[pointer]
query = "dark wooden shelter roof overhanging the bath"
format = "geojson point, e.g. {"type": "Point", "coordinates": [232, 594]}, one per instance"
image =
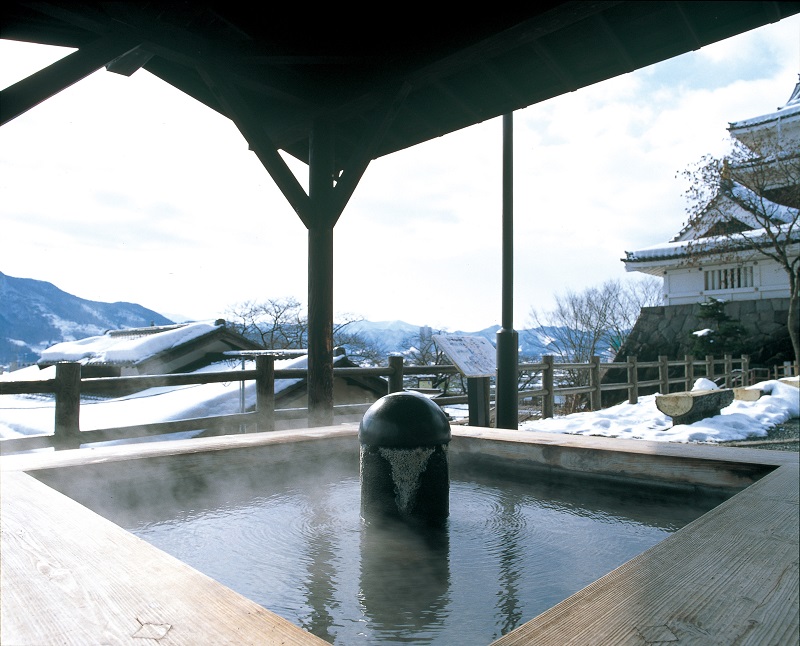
{"type": "Point", "coordinates": [384, 80]}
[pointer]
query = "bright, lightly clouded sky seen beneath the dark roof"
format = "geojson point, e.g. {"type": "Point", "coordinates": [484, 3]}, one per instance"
{"type": "Point", "coordinates": [124, 189]}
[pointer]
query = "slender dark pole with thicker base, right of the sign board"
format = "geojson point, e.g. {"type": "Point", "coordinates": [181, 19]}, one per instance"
{"type": "Point", "coordinates": [506, 397]}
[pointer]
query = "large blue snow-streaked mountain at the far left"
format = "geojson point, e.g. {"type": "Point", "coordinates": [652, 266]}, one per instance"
{"type": "Point", "coordinates": [35, 314]}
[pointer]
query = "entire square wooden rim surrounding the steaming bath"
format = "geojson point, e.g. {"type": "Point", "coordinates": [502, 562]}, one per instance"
{"type": "Point", "coordinates": [70, 576]}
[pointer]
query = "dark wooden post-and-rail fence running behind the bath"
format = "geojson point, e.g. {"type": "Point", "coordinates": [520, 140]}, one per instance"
{"type": "Point", "coordinates": [68, 385]}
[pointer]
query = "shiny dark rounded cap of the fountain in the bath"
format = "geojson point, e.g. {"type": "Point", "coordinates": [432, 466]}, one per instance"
{"type": "Point", "coordinates": [404, 420]}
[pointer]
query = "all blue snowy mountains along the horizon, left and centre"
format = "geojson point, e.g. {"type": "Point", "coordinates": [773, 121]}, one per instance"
{"type": "Point", "coordinates": [35, 315]}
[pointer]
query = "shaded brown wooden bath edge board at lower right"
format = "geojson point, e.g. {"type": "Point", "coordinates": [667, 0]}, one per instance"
{"type": "Point", "coordinates": [730, 577]}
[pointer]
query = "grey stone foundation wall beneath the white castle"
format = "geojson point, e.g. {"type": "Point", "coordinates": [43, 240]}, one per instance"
{"type": "Point", "coordinates": [667, 330]}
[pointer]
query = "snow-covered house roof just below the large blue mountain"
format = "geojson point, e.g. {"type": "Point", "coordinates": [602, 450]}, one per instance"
{"type": "Point", "coordinates": [127, 347]}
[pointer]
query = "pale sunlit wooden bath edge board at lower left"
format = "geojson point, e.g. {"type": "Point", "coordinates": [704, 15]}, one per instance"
{"type": "Point", "coordinates": [72, 577]}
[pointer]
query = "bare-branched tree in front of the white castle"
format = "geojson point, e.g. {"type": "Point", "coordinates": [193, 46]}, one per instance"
{"type": "Point", "coordinates": [747, 204]}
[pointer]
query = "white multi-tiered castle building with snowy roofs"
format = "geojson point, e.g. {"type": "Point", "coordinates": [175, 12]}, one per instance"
{"type": "Point", "coordinates": [701, 262]}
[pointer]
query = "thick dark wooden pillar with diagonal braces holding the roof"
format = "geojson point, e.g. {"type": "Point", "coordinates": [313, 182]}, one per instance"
{"type": "Point", "coordinates": [320, 277]}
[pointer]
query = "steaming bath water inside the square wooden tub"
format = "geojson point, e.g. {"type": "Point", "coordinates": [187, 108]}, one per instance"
{"type": "Point", "coordinates": [512, 547]}
